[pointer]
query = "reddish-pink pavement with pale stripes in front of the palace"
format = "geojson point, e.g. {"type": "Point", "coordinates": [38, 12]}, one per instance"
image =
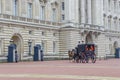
{"type": "Point", "coordinates": [61, 70]}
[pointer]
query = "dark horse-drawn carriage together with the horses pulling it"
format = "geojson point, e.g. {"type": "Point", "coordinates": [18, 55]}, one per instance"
{"type": "Point", "coordinates": [83, 53]}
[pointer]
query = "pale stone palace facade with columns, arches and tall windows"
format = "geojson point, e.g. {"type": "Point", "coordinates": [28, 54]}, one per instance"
{"type": "Point", "coordinates": [58, 25]}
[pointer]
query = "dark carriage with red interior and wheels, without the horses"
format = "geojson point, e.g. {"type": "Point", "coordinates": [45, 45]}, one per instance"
{"type": "Point", "coordinates": [86, 52]}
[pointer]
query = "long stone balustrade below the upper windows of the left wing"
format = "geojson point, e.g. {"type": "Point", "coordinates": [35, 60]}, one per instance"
{"type": "Point", "coordinates": [29, 20]}
